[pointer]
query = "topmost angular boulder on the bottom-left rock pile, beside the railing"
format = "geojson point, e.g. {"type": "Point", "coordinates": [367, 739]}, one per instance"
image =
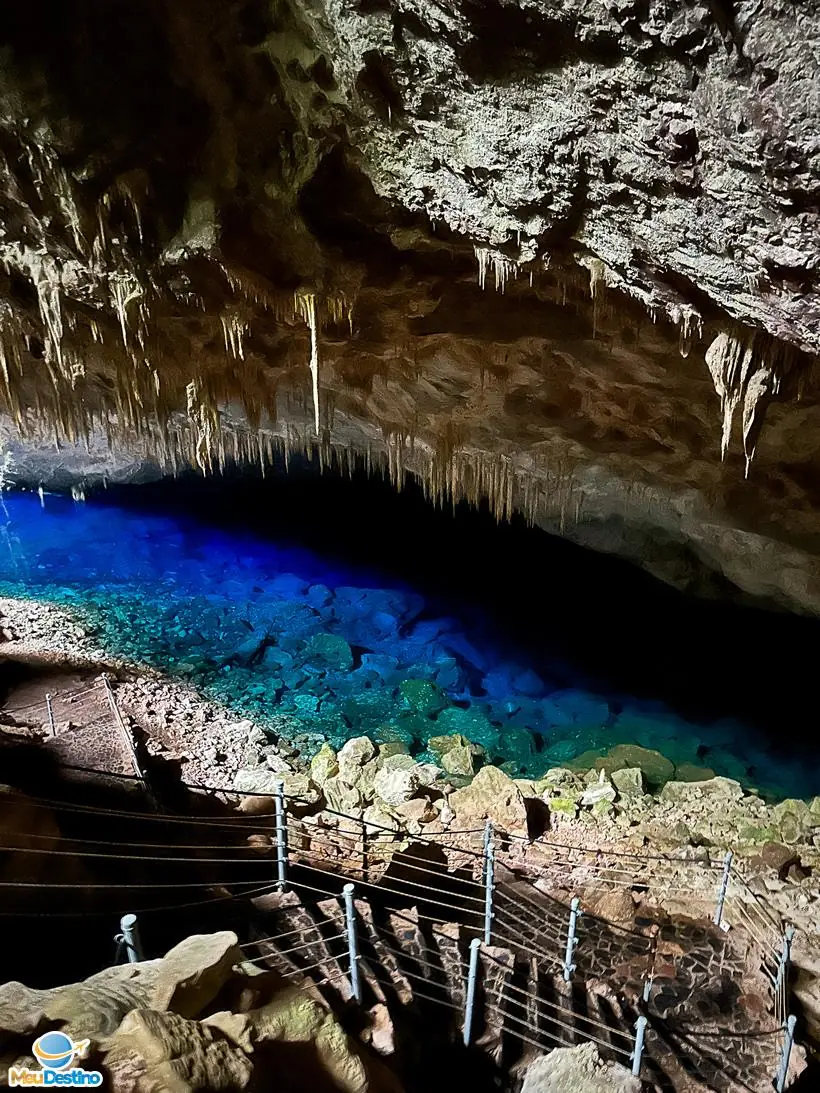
{"type": "Point", "coordinates": [193, 973]}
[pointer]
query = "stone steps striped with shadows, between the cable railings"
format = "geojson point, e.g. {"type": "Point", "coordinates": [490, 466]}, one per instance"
{"type": "Point", "coordinates": [414, 977]}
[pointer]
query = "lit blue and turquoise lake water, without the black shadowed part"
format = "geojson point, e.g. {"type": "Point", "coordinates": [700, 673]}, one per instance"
{"type": "Point", "coordinates": [295, 638]}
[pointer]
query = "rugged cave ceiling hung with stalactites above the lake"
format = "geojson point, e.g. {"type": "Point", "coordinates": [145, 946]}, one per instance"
{"type": "Point", "coordinates": [563, 256]}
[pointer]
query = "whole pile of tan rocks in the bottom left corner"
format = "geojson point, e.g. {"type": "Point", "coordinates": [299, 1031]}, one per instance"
{"type": "Point", "coordinates": [151, 1026]}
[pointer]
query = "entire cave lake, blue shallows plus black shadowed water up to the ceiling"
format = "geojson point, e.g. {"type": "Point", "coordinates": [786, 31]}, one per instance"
{"type": "Point", "coordinates": [352, 609]}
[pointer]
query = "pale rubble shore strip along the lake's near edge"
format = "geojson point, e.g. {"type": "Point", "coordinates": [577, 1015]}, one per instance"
{"type": "Point", "coordinates": [630, 801]}
